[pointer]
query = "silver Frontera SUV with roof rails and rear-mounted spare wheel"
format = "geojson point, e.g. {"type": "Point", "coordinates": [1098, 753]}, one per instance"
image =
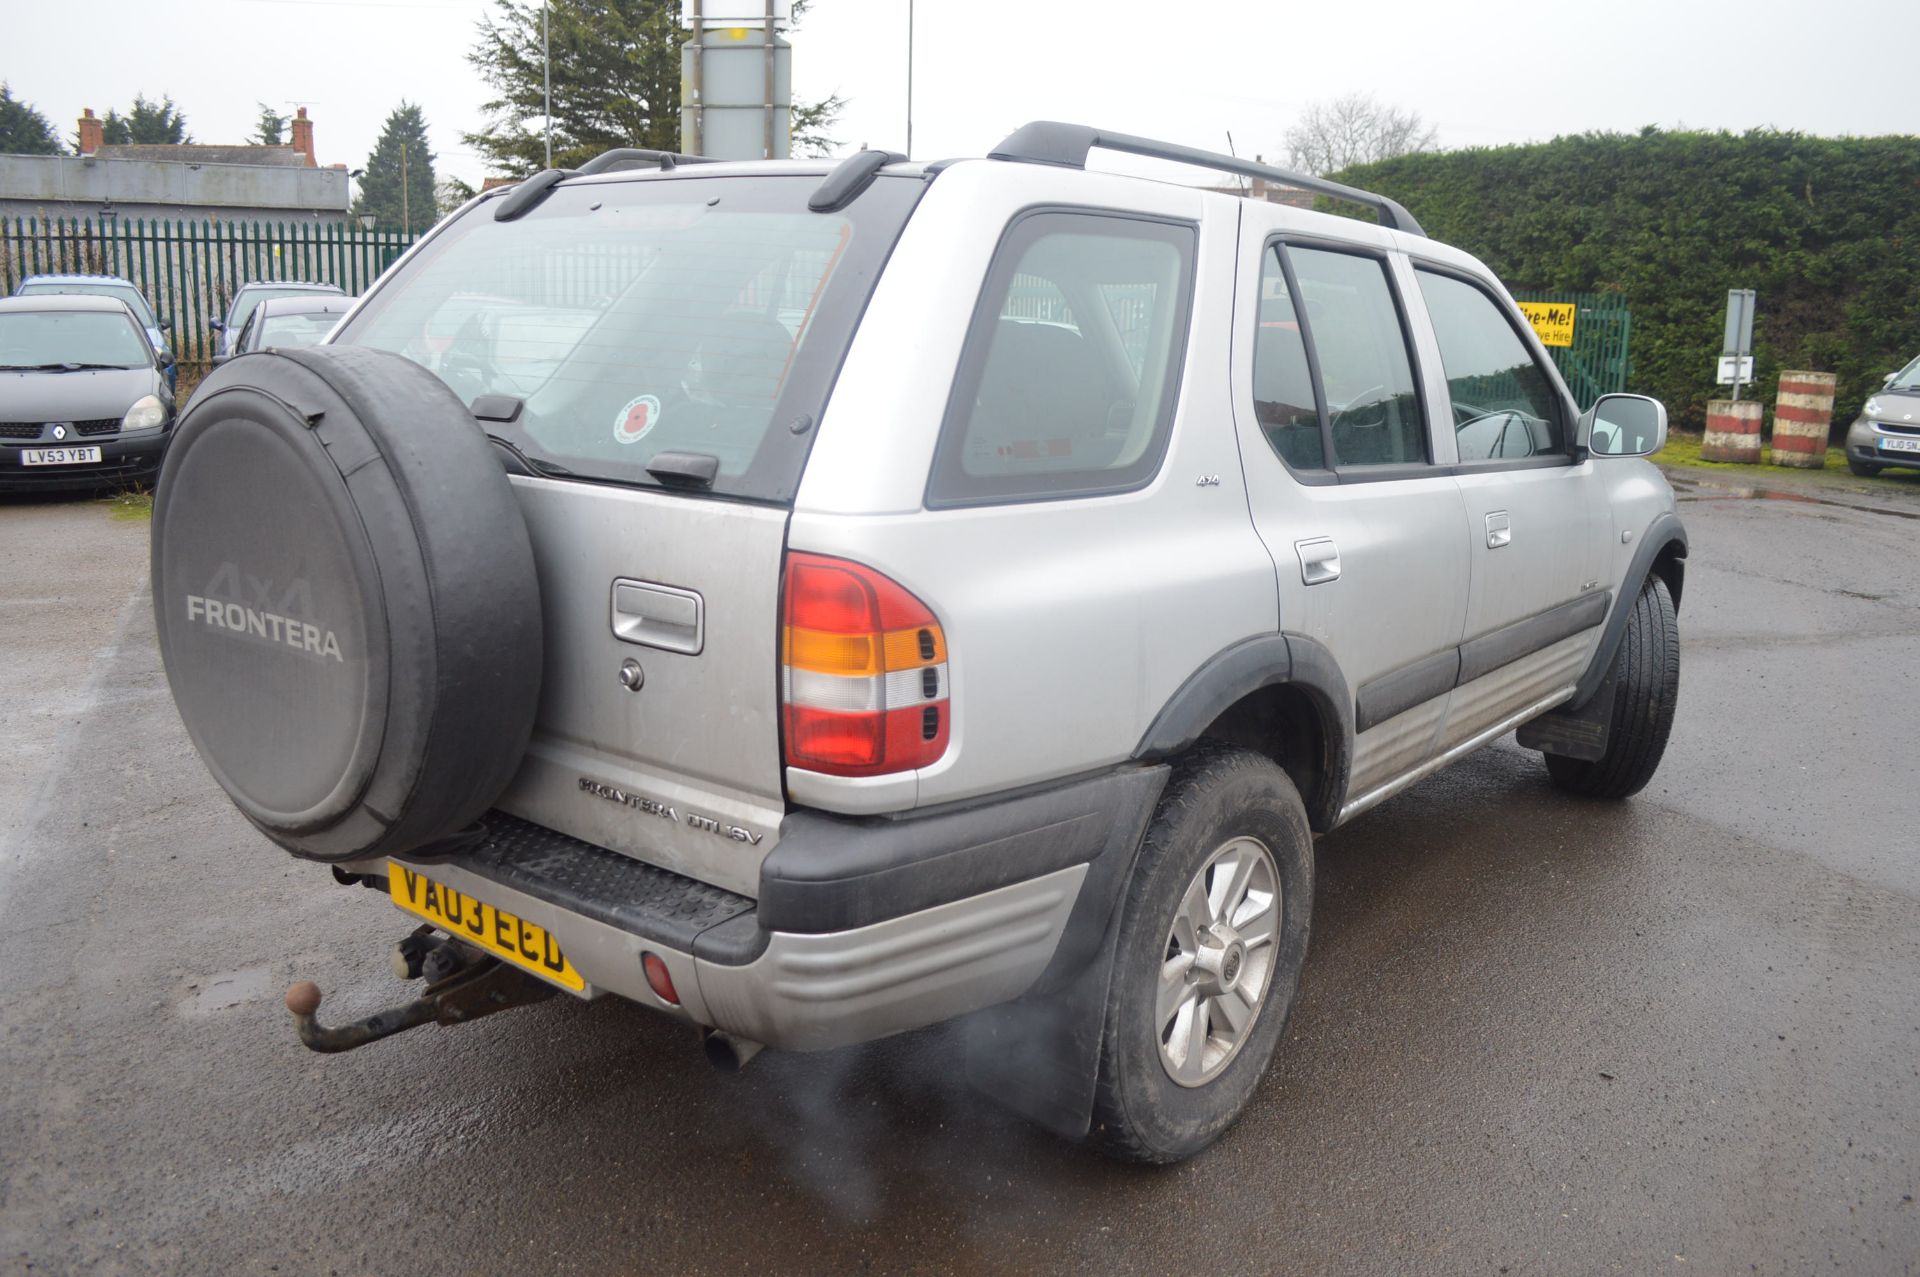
{"type": "Point", "coordinates": [819, 602]}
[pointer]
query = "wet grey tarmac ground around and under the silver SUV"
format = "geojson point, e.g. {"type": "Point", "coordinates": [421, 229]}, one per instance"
{"type": "Point", "coordinates": [1535, 1036]}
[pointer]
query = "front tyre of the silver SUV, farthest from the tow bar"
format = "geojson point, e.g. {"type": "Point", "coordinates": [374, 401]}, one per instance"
{"type": "Point", "coordinates": [1646, 677]}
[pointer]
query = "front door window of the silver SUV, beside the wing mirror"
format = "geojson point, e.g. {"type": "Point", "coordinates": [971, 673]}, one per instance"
{"type": "Point", "coordinates": [1504, 402]}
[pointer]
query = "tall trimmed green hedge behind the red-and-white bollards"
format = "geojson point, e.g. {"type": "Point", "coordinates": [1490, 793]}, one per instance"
{"type": "Point", "coordinates": [1827, 231]}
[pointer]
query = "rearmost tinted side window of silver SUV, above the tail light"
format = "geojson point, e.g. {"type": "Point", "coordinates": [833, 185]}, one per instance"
{"type": "Point", "coordinates": [1072, 362]}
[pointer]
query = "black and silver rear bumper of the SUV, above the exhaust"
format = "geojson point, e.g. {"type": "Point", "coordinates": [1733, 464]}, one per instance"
{"type": "Point", "coordinates": [867, 928]}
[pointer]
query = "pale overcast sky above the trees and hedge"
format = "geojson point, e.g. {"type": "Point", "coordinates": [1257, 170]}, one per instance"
{"type": "Point", "coordinates": [1481, 72]}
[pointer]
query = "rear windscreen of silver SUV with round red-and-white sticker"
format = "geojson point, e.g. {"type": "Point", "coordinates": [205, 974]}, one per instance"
{"type": "Point", "coordinates": [661, 314]}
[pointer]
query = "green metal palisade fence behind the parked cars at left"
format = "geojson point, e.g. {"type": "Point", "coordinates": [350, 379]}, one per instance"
{"type": "Point", "coordinates": [189, 270]}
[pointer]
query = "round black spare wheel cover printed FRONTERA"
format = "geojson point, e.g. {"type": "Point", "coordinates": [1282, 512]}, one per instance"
{"type": "Point", "coordinates": [347, 600]}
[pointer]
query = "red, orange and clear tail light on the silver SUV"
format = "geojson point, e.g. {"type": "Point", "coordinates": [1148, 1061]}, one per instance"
{"type": "Point", "coordinates": [863, 671]}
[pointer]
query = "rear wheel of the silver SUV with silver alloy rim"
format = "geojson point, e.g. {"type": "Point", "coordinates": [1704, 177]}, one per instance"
{"type": "Point", "coordinates": [1211, 948]}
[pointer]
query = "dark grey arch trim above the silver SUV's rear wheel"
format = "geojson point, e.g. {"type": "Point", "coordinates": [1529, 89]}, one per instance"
{"type": "Point", "coordinates": [1247, 667]}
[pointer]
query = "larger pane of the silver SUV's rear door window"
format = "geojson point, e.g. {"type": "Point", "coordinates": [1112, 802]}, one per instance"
{"type": "Point", "coordinates": [1374, 410]}
